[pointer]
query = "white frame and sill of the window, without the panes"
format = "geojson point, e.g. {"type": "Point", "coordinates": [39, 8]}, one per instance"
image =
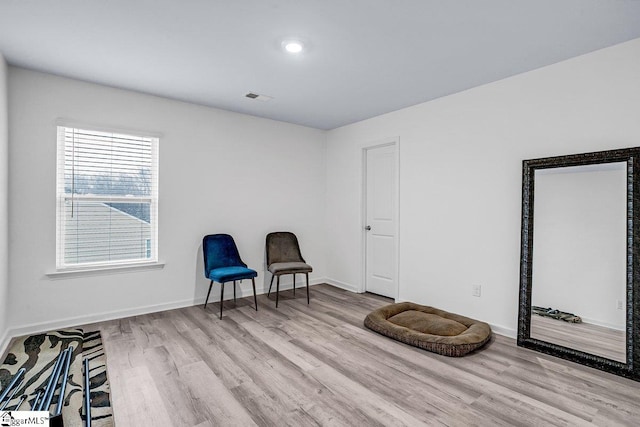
{"type": "Point", "coordinates": [62, 197]}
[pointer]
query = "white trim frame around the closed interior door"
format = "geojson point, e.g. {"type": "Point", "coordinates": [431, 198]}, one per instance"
{"type": "Point", "coordinates": [363, 148]}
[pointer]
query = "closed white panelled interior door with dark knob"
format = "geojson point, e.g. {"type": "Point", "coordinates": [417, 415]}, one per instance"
{"type": "Point", "coordinates": [380, 227]}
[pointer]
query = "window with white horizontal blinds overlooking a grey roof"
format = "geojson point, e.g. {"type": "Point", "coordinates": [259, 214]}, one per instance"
{"type": "Point", "coordinates": [107, 196]}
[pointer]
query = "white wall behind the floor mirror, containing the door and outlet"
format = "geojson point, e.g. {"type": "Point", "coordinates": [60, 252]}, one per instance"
{"type": "Point", "coordinates": [460, 175]}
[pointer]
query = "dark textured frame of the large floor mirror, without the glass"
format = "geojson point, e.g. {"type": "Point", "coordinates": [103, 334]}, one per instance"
{"type": "Point", "coordinates": [631, 156]}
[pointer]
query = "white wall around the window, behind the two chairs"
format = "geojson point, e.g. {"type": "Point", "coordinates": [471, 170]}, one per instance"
{"type": "Point", "coordinates": [219, 172]}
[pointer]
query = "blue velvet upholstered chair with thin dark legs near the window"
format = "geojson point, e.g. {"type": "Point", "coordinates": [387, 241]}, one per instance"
{"type": "Point", "coordinates": [222, 264]}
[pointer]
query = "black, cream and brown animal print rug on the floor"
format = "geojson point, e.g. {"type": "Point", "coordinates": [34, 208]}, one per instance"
{"type": "Point", "coordinates": [38, 353]}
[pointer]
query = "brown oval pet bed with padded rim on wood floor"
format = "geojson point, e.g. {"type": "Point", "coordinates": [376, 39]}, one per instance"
{"type": "Point", "coordinates": [429, 328]}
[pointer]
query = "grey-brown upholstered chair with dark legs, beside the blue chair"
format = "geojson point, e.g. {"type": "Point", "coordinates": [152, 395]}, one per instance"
{"type": "Point", "coordinates": [284, 257]}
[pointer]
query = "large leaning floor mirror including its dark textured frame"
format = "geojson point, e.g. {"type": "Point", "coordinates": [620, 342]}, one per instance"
{"type": "Point", "coordinates": [579, 272]}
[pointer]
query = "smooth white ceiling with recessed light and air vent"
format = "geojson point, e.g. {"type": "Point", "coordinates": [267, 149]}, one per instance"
{"type": "Point", "coordinates": [364, 57]}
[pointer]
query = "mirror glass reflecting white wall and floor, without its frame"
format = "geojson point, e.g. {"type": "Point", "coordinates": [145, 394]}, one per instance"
{"type": "Point", "coordinates": [578, 286]}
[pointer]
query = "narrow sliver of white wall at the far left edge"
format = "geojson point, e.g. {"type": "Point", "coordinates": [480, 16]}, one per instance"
{"type": "Point", "coordinates": [4, 206]}
